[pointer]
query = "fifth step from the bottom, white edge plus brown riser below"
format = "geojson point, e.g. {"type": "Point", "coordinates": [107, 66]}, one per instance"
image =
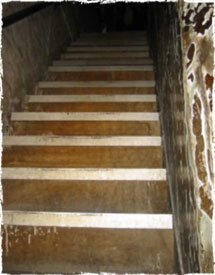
{"type": "Point", "coordinates": [91, 103]}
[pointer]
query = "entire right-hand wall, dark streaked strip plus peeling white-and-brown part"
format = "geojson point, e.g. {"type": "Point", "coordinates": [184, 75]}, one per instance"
{"type": "Point", "coordinates": [184, 86]}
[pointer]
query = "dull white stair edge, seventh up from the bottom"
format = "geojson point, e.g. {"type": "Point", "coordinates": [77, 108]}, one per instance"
{"type": "Point", "coordinates": [100, 68]}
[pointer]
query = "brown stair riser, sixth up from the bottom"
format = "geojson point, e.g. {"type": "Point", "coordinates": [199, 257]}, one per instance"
{"type": "Point", "coordinates": [100, 91]}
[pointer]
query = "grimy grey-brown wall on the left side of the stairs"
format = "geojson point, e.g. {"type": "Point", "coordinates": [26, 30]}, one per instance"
{"type": "Point", "coordinates": [28, 47]}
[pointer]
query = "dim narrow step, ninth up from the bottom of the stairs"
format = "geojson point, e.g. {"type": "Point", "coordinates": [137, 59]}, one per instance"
{"type": "Point", "coordinates": [96, 55]}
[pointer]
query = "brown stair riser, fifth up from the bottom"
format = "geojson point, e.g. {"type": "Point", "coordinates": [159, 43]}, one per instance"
{"type": "Point", "coordinates": [92, 107]}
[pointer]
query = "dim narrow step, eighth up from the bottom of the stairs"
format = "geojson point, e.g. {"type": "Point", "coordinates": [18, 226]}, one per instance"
{"type": "Point", "coordinates": [104, 62]}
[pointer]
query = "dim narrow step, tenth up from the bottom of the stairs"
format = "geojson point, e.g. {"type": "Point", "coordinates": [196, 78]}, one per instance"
{"type": "Point", "coordinates": [104, 48]}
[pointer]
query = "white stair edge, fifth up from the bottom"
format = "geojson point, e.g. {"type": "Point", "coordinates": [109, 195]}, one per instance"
{"type": "Point", "coordinates": [90, 98]}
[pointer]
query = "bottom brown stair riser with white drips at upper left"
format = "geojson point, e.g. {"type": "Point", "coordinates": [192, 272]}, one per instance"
{"type": "Point", "coordinates": [64, 250]}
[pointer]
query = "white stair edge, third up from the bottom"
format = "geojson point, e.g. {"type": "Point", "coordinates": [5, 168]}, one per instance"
{"type": "Point", "coordinates": [81, 141]}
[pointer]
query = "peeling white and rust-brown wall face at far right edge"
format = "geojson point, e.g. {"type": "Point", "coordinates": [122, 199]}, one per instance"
{"type": "Point", "coordinates": [198, 58]}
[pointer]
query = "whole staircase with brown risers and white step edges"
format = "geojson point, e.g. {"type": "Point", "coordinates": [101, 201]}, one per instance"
{"type": "Point", "coordinates": [83, 175]}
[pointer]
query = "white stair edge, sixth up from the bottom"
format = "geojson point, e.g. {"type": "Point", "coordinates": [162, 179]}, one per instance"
{"type": "Point", "coordinates": [96, 84]}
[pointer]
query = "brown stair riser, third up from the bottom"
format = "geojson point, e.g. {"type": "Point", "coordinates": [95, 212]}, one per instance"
{"type": "Point", "coordinates": [85, 157]}
